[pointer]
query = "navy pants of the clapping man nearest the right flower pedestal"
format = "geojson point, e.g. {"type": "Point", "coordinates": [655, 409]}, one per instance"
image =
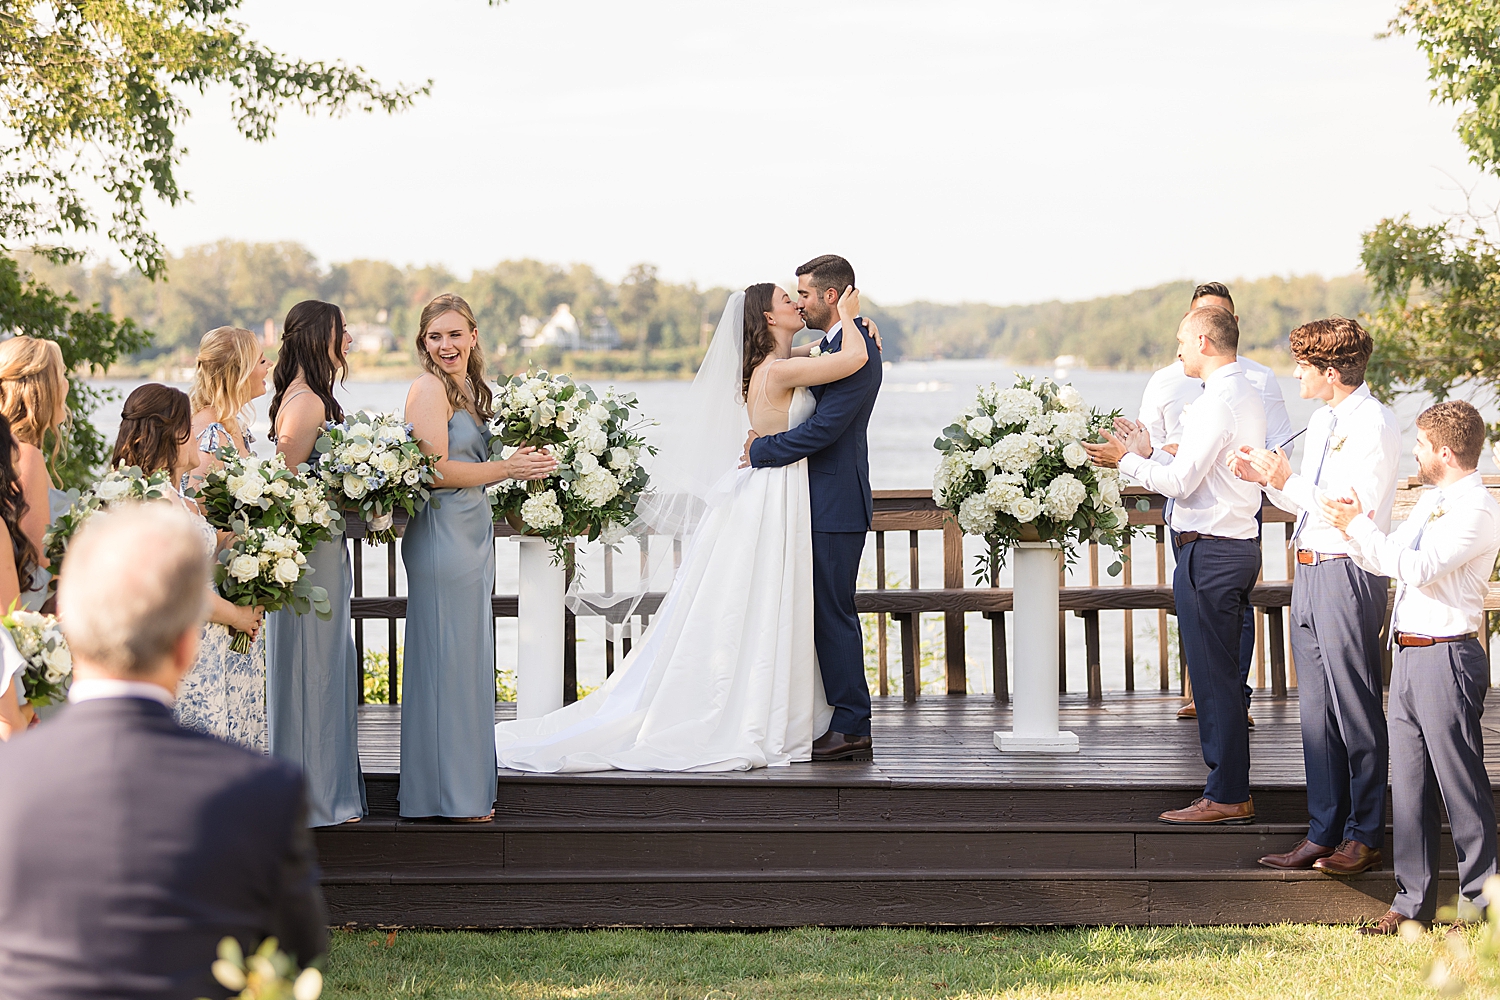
{"type": "Point", "coordinates": [1211, 588]}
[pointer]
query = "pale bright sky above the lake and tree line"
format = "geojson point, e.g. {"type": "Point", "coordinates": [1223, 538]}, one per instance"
{"type": "Point", "coordinates": [955, 151]}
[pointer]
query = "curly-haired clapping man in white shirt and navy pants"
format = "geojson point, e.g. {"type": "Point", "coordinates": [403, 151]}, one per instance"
{"type": "Point", "coordinates": [1337, 606]}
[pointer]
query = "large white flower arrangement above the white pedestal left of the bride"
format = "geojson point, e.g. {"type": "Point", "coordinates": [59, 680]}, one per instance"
{"type": "Point", "coordinates": [598, 445]}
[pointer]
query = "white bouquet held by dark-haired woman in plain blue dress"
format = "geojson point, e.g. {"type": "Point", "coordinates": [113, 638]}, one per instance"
{"type": "Point", "coordinates": [373, 464]}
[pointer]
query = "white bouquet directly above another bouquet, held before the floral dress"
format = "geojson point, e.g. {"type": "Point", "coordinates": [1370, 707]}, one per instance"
{"type": "Point", "coordinates": [253, 493]}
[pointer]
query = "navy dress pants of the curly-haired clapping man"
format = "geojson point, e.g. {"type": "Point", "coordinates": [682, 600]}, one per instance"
{"type": "Point", "coordinates": [1337, 612]}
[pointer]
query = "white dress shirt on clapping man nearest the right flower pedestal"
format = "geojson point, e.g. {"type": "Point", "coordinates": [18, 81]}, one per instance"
{"type": "Point", "coordinates": [1207, 496]}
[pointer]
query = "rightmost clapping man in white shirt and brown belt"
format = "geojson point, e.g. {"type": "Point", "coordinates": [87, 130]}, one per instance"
{"type": "Point", "coordinates": [1441, 558]}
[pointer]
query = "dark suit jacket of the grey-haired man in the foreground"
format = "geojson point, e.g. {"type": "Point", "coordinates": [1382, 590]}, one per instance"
{"type": "Point", "coordinates": [131, 846]}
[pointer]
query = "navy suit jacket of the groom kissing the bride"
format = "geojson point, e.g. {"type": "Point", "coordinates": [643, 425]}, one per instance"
{"type": "Point", "coordinates": [835, 445]}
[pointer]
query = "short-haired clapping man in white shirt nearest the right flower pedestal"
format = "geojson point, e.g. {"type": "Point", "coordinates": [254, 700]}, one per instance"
{"type": "Point", "coordinates": [1214, 525]}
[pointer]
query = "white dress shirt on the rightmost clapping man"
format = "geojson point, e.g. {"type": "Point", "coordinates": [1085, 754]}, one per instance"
{"type": "Point", "coordinates": [1441, 558]}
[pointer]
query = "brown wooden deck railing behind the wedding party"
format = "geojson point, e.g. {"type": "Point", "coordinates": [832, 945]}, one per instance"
{"type": "Point", "coordinates": [914, 515]}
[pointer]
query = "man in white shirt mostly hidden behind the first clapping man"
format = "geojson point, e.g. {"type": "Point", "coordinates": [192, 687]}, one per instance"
{"type": "Point", "coordinates": [1162, 406]}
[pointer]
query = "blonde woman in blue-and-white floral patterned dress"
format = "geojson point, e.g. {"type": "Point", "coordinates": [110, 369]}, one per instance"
{"type": "Point", "coordinates": [226, 692]}
